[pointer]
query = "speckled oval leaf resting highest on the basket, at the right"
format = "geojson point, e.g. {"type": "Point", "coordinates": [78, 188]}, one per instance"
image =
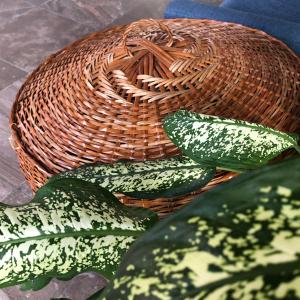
{"type": "Point", "coordinates": [226, 143]}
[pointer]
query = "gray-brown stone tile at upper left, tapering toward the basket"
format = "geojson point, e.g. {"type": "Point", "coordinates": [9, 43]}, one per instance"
{"type": "Point", "coordinates": [28, 36]}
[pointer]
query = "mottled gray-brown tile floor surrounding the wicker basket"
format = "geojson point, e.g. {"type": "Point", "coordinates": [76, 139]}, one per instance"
{"type": "Point", "coordinates": [30, 30]}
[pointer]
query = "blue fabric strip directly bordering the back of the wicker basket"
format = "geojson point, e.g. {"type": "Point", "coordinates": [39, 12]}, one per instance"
{"type": "Point", "coordinates": [288, 32]}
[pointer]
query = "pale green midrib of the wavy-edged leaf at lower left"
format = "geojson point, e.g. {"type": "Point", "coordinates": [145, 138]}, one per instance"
{"type": "Point", "coordinates": [81, 233]}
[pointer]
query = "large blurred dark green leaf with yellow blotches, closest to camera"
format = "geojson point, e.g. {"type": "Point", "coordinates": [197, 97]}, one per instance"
{"type": "Point", "coordinates": [240, 240]}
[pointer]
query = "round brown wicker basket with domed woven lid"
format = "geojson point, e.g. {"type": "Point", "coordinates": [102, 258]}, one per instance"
{"type": "Point", "coordinates": [103, 97]}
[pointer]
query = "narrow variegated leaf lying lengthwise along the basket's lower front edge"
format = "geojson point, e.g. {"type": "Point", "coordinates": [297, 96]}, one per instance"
{"type": "Point", "coordinates": [148, 179]}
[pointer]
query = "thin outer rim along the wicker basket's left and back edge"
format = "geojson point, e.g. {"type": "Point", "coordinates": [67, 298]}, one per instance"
{"type": "Point", "coordinates": [15, 137]}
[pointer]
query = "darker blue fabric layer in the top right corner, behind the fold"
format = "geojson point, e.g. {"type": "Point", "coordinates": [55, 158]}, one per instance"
{"type": "Point", "coordinates": [288, 10]}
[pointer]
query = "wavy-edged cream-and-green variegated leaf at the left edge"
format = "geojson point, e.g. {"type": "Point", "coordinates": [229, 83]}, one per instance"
{"type": "Point", "coordinates": [71, 226]}
